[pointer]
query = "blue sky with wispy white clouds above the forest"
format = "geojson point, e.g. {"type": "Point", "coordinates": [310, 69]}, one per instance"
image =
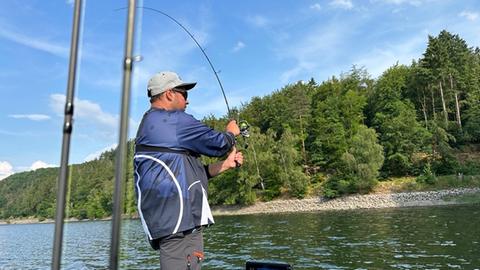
{"type": "Point", "coordinates": [256, 46]}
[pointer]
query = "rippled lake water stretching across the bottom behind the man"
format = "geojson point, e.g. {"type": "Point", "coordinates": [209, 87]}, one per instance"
{"type": "Point", "coordinates": [402, 238]}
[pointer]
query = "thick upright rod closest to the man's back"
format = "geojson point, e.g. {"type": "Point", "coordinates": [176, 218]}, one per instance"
{"type": "Point", "coordinates": [122, 142]}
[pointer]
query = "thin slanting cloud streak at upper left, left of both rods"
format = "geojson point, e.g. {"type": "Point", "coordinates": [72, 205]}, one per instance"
{"type": "Point", "coordinates": [34, 43]}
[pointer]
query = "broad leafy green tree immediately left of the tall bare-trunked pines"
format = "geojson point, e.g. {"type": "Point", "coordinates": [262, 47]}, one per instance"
{"type": "Point", "coordinates": [395, 119]}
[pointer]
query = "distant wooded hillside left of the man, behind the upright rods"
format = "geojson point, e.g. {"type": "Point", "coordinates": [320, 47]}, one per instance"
{"type": "Point", "coordinates": [33, 193]}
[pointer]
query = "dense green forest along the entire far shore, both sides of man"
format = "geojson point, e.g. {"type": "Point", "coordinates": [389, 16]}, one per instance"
{"type": "Point", "coordinates": [338, 137]}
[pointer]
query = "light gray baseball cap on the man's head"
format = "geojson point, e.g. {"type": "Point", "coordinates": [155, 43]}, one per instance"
{"type": "Point", "coordinates": [165, 80]}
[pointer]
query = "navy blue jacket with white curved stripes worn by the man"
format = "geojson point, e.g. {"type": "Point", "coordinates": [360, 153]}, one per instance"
{"type": "Point", "coordinates": [171, 186]}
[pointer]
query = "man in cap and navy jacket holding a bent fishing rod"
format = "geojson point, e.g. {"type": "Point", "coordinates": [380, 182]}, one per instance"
{"type": "Point", "coordinates": [170, 181]}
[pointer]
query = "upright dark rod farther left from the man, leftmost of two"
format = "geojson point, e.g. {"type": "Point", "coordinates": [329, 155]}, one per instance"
{"type": "Point", "coordinates": [67, 131]}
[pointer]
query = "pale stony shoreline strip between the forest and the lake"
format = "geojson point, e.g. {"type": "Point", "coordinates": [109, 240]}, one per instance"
{"type": "Point", "coordinates": [315, 204]}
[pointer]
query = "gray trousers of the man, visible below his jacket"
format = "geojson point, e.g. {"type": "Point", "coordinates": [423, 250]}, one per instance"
{"type": "Point", "coordinates": [182, 251]}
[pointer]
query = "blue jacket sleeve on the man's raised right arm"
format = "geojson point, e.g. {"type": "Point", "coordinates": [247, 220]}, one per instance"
{"type": "Point", "coordinates": [194, 135]}
